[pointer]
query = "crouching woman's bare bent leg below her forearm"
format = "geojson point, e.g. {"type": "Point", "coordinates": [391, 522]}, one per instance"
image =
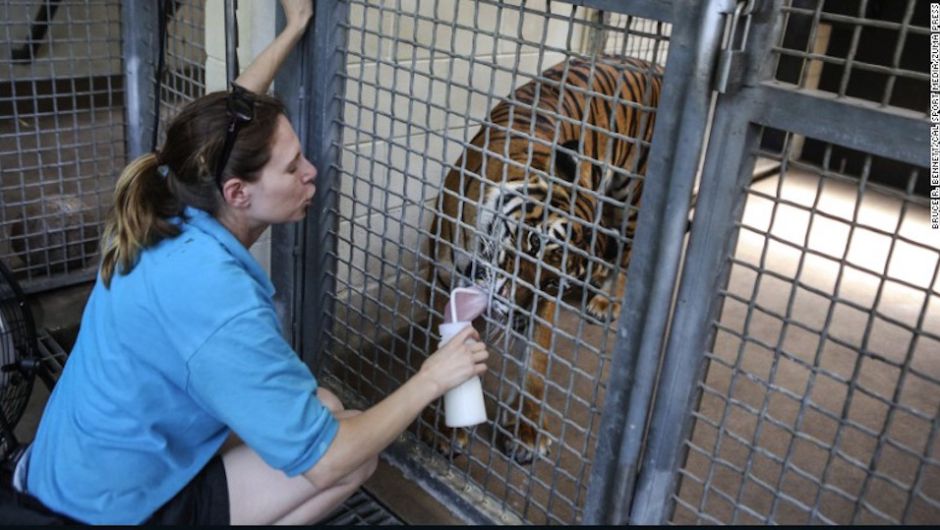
{"type": "Point", "coordinates": [259, 494]}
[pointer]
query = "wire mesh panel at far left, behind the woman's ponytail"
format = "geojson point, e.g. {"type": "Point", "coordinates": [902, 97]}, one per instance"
{"type": "Point", "coordinates": [61, 135]}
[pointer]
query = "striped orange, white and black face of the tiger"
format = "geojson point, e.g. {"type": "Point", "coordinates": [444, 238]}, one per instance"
{"type": "Point", "coordinates": [534, 238]}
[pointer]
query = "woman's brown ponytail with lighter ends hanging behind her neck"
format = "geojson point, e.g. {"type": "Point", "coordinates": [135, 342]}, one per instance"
{"type": "Point", "coordinates": [143, 205]}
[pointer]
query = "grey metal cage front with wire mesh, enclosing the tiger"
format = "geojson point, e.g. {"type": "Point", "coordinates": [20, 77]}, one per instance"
{"type": "Point", "coordinates": [774, 363]}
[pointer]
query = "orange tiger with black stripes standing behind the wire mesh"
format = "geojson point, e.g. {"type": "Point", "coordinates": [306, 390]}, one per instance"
{"type": "Point", "coordinates": [519, 211]}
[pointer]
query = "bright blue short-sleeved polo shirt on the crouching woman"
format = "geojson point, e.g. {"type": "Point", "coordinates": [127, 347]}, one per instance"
{"type": "Point", "coordinates": [177, 352]}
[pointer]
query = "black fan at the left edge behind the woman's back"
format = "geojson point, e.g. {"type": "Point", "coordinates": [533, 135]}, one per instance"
{"type": "Point", "coordinates": [19, 358]}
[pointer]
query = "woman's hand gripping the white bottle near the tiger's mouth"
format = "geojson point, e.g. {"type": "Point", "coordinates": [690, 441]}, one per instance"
{"type": "Point", "coordinates": [455, 362]}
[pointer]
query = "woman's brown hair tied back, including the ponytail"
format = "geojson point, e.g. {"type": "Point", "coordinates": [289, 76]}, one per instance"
{"type": "Point", "coordinates": [146, 201]}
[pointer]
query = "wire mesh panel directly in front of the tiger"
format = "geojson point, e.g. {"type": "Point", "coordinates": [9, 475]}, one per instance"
{"type": "Point", "coordinates": [492, 143]}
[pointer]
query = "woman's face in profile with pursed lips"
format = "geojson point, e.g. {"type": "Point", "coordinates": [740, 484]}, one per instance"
{"type": "Point", "coordinates": [285, 186]}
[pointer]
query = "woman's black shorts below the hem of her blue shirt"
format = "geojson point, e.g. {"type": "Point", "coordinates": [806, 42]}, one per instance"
{"type": "Point", "coordinates": [204, 501]}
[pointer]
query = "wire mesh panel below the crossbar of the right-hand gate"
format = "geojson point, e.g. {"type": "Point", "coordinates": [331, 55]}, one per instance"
{"type": "Point", "coordinates": [820, 400]}
